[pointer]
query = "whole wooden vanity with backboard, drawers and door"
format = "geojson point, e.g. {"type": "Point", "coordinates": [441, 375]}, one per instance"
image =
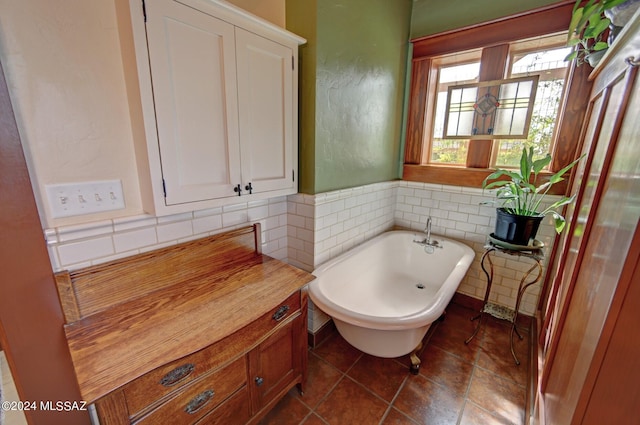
{"type": "Point", "coordinates": [208, 331]}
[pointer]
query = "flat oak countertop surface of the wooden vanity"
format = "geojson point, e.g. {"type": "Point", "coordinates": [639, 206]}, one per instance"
{"type": "Point", "coordinates": [112, 347]}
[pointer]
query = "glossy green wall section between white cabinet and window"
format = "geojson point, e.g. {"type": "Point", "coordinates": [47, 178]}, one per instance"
{"type": "Point", "coordinates": [351, 119]}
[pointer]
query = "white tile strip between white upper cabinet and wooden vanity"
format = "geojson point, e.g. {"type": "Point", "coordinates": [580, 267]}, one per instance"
{"type": "Point", "coordinates": [74, 247]}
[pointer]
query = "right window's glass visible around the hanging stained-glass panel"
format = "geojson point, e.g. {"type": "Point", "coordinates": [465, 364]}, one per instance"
{"type": "Point", "coordinates": [552, 68]}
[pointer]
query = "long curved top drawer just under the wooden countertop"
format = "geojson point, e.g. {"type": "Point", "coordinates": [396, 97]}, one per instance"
{"type": "Point", "coordinates": [143, 393]}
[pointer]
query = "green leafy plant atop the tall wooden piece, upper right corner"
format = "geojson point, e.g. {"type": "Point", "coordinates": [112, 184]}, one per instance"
{"type": "Point", "coordinates": [587, 30]}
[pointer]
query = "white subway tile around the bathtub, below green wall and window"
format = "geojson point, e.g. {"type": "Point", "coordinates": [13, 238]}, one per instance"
{"type": "Point", "coordinates": [325, 225]}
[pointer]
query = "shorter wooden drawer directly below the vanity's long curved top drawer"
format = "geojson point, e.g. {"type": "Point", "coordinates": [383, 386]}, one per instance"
{"type": "Point", "coordinates": [201, 396]}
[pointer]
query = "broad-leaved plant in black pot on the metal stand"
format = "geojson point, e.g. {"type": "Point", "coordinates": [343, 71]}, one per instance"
{"type": "Point", "coordinates": [519, 217]}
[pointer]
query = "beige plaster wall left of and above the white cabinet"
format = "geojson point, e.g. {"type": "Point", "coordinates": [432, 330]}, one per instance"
{"type": "Point", "coordinates": [64, 69]}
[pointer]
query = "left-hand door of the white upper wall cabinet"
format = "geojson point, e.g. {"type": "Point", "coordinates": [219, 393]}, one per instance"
{"type": "Point", "coordinates": [193, 74]}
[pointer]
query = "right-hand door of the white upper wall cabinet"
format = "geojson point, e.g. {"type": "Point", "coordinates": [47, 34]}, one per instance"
{"type": "Point", "coordinates": [266, 101]}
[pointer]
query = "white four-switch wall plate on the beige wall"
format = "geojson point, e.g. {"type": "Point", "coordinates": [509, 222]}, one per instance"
{"type": "Point", "coordinates": [69, 199]}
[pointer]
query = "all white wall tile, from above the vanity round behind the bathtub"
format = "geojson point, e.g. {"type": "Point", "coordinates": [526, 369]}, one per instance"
{"type": "Point", "coordinates": [307, 230]}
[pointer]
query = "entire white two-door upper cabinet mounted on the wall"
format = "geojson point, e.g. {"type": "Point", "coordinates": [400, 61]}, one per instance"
{"type": "Point", "coordinates": [219, 104]}
